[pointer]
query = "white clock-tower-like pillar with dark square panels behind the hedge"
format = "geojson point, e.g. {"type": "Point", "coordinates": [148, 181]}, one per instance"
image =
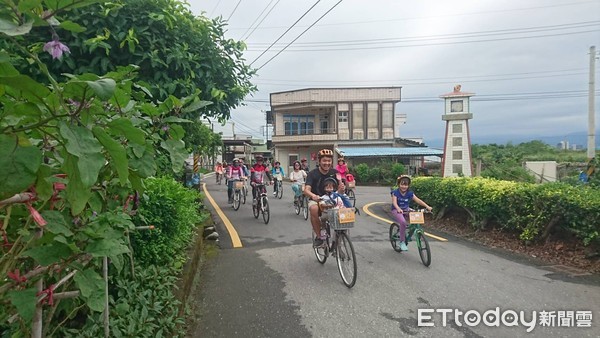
{"type": "Point", "coordinates": [457, 145]}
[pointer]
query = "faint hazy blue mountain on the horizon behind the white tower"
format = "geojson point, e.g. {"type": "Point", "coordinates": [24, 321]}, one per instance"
{"type": "Point", "coordinates": [577, 138]}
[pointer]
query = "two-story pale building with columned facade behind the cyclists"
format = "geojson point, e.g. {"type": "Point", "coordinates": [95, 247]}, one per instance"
{"type": "Point", "coordinates": [358, 121]}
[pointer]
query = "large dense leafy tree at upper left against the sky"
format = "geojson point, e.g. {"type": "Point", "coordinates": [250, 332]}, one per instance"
{"type": "Point", "coordinates": [177, 53]}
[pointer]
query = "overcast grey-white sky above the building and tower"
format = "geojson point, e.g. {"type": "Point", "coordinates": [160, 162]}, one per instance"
{"type": "Point", "coordinates": [527, 61]}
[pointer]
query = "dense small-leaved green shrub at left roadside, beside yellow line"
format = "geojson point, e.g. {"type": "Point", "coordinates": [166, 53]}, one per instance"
{"type": "Point", "coordinates": [174, 211]}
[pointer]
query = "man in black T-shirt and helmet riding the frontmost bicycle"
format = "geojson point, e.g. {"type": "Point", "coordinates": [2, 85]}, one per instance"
{"type": "Point", "coordinates": [314, 188]}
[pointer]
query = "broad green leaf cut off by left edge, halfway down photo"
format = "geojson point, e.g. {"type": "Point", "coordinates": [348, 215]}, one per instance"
{"type": "Point", "coordinates": [19, 166]}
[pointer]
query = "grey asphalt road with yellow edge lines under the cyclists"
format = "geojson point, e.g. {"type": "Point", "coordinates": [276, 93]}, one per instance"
{"type": "Point", "coordinates": [272, 286]}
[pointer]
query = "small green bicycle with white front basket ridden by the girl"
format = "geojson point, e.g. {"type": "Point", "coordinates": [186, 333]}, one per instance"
{"type": "Point", "coordinates": [414, 229]}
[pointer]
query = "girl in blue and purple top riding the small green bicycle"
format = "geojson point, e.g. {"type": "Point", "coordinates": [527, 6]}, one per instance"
{"type": "Point", "coordinates": [401, 198]}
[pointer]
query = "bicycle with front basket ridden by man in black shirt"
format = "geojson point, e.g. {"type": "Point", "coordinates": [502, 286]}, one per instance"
{"type": "Point", "coordinates": [340, 246]}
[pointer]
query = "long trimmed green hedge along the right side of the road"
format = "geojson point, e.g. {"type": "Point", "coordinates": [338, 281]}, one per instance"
{"type": "Point", "coordinates": [531, 210]}
